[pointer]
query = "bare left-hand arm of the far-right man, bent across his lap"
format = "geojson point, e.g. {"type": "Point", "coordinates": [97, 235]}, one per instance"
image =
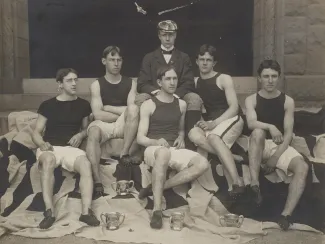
{"type": "Point", "coordinates": [251, 115]}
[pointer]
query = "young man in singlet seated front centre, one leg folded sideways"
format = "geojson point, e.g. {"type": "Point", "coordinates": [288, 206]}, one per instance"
{"type": "Point", "coordinates": [161, 131]}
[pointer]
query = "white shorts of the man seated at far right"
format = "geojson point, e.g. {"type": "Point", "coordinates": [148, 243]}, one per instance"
{"type": "Point", "coordinates": [285, 158]}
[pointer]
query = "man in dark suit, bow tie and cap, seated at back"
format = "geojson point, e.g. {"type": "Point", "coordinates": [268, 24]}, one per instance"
{"type": "Point", "coordinates": [167, 54]}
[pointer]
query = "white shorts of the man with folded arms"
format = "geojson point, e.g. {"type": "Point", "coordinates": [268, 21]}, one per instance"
{"type": "Point", "coordinates": [110, 130]}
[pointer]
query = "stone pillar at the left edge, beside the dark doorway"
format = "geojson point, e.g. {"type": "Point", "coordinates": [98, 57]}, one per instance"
{"type": "Point", "coordinates": [14, 45]}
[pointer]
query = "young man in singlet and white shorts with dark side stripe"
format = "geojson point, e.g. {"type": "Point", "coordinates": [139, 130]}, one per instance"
{"type": "Point", "coordinates": [221, 125]}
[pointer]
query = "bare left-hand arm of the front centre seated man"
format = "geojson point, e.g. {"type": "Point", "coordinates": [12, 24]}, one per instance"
{"type": "Point", "coordinates": [145, 112]}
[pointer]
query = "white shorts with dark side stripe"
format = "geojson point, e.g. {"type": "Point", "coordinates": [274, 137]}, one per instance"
{"type": "Point", "coordinates": [228, 130]}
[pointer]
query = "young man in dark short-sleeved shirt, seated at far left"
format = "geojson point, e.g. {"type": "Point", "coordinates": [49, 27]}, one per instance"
{"type": "Point", "coordinates": [64, 119]}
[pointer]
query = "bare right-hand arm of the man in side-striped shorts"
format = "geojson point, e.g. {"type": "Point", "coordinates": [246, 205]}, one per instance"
{"type": "Point", "coordinates": [227, 85]}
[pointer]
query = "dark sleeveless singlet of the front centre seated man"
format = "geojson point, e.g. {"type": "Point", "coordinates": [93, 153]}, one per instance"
{"type": "Point", "coordinates": [164, 122]}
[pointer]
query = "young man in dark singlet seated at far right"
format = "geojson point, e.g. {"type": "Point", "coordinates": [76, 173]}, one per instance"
{"type": "Point", "coordinates": [270, 116]}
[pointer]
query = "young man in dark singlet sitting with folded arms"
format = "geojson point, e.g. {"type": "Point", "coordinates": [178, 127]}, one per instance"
{"type": "Point", "coordinates": [116, 115]}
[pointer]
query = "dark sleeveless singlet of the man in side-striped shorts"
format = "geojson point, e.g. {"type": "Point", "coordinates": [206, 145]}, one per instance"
{"type": "Point", "coordinates": [214, 99]}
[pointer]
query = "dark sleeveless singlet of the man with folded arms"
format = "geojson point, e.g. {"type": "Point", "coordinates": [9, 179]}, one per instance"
{"type": "Point", "coordinates": [115, 94]}
